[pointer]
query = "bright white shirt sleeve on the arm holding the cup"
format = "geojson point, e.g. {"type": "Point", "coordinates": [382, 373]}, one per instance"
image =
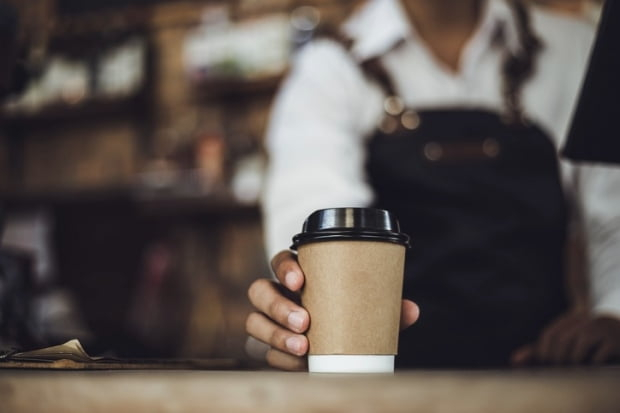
{"type": "Point", "coordinates": [315, 142]}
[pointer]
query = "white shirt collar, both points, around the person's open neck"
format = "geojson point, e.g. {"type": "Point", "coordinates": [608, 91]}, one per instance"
{"type": "Point", "coordinates": [381, 24]}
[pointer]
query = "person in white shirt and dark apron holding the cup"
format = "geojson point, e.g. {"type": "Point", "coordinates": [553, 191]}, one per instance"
{"type": "Point", "coordinates": [472, 99]}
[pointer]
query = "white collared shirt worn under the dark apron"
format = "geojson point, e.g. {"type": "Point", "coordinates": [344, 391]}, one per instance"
{"type": "Point", "coordinates": [326, 109]}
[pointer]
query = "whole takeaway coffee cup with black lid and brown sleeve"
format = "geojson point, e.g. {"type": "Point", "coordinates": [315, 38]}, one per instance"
{"type": "Point", "coordinates": [353, 260]}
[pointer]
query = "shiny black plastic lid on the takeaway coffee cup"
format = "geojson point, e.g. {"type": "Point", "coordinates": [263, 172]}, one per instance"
{"type": "Point", "coordinates": [358, 224]}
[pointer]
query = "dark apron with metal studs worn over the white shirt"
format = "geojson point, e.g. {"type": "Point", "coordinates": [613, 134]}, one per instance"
{"type": "Point", "coordinates": [482, 201]}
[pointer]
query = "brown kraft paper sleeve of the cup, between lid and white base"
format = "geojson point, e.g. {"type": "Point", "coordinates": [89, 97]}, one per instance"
{"type": "Point", "coordinates": [353, 293]}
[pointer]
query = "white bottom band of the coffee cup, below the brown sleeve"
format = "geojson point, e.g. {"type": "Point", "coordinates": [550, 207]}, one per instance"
{"type": "Point", "coordinates": [338, 363]}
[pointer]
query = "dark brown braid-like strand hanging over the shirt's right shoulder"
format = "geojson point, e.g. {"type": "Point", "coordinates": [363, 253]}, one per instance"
{"type": "Point", "coordinates": [519, 66]}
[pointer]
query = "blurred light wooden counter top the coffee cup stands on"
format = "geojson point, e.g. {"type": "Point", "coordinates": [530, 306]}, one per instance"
{"type": "Point", "coordinates": [530, 391]}
